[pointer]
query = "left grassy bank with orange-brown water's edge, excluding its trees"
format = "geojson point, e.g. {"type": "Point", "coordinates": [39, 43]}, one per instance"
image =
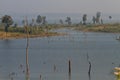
{"type": "Point", "coordinates": [20, 32]}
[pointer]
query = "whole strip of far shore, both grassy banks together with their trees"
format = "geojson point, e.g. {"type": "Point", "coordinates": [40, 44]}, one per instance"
{"type": "Point", "coordinates": [39, 27]}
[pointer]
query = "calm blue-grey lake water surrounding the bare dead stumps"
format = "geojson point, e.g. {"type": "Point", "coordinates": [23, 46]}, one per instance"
{"type": "Point", "coordinates": [49, 56]}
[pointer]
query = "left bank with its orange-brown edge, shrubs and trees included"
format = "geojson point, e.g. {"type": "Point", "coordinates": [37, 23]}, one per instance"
{"type": "Point", "coordinates": [10, 31]}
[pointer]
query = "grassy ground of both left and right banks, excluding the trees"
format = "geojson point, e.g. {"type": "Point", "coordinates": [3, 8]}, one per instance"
{"type": "Point", "coordinates": [44, 31]}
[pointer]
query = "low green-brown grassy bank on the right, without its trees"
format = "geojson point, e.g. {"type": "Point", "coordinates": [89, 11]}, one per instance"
{"type": "Point", "coordinates": [109, 28]}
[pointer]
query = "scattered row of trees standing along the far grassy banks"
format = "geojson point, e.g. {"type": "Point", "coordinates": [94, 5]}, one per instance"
{"type": "Point", "coordinates": [7, 20]}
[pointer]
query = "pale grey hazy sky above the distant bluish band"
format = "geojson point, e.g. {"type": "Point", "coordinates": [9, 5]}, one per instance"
{"type": "Point", "coordinates": [59, 6]}
